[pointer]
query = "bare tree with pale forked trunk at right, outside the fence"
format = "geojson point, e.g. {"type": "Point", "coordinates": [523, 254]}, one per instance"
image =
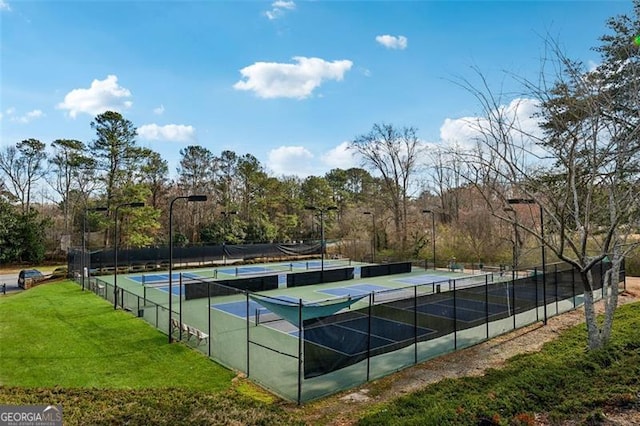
{"type": "Point", "coordinates": [581, 169]}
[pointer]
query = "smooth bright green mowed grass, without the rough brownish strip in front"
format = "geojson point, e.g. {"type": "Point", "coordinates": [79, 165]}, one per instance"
{"type": "Point", "coordinates": [57, 335]}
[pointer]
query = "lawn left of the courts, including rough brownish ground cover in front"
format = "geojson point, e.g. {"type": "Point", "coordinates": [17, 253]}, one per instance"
{"type": "Point", "coordinates": [60, 345]}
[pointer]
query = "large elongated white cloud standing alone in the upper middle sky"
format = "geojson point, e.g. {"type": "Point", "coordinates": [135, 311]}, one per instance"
{"type": "Point", "coordinates": [277, 80]}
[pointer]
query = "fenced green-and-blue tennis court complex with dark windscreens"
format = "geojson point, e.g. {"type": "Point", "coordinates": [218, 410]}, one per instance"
{"type": "Point", "coordinates": [307, 340]}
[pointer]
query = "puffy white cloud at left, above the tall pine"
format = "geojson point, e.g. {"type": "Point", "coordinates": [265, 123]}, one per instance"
{"type": "Point", "coordinates": [103, 95]}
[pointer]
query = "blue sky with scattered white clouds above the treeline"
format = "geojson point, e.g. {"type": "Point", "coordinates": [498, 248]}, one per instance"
{"type": "Point", "coordinates": [290, 82]}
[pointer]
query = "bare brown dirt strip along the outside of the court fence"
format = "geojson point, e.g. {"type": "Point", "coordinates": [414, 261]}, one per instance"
{"type": "Point", "coordinates": [345, 408]}
